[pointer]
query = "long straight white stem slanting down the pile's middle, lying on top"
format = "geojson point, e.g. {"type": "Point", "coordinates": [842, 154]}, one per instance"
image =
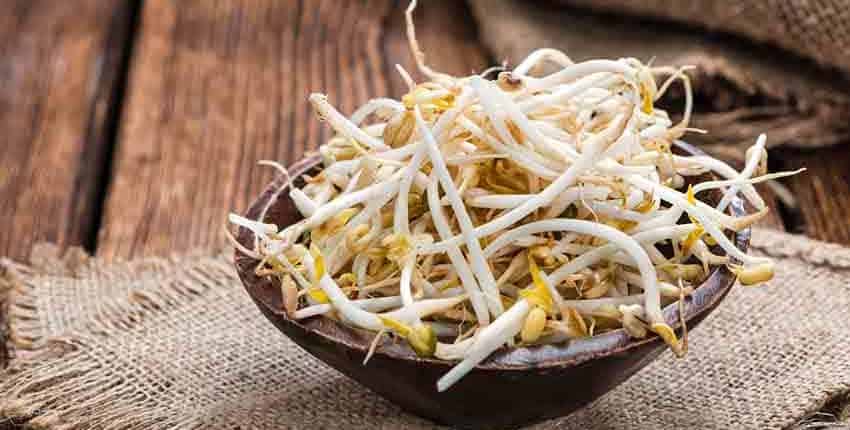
{"type": "Point", "coordinates": [479, 264]}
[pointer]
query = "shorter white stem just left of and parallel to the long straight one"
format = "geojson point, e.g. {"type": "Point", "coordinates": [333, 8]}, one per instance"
{"type": "Point", "coordinates": [467, 279]}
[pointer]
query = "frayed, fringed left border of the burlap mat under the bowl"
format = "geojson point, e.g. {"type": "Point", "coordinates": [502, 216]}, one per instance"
{"type": "Point", "coordinates": [81, 388]}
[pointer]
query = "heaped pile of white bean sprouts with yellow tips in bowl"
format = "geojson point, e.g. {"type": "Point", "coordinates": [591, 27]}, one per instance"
{"type": "Point", "coordinates": [530, 209]}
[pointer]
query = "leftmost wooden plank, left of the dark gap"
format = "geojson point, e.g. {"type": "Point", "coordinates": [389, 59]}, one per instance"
{"type": "Point", "coordinates": [58, 71]}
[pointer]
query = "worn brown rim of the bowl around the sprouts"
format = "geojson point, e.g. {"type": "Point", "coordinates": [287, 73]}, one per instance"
{"type": "Point", "coordinates": [573, 352]}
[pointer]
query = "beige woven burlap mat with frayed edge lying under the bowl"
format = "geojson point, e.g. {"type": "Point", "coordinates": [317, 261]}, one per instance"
{"type": "Point", "coordinates": [177, 343]}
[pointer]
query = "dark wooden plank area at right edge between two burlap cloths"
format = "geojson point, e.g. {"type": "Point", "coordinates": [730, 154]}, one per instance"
{"type": "Point", "coordinates": [822, 192]}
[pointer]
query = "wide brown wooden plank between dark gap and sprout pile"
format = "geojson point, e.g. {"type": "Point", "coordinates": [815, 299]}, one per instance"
{"type": "Point", "coordinates": [216, 86]}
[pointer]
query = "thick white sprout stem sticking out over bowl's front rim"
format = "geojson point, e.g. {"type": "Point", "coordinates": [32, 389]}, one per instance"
{"type": "Point", "coordinates": [489, 339]}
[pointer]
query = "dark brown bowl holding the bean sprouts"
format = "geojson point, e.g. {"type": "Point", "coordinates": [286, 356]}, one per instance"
{"type": "Point", "coordinates": [514, 386]}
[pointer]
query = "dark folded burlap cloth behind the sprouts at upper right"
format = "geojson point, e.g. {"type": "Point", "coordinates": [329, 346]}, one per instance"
{"type": "Point", "coordinates": [743, 87]}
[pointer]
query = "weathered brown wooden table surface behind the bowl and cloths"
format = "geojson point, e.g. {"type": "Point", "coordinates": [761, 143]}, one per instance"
{"type": "Point", "coordinates": [134, 128]}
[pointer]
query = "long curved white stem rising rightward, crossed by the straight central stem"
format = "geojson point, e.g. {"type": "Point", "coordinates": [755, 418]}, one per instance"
{"type": "Point", "coordinates": [593, 148]}
